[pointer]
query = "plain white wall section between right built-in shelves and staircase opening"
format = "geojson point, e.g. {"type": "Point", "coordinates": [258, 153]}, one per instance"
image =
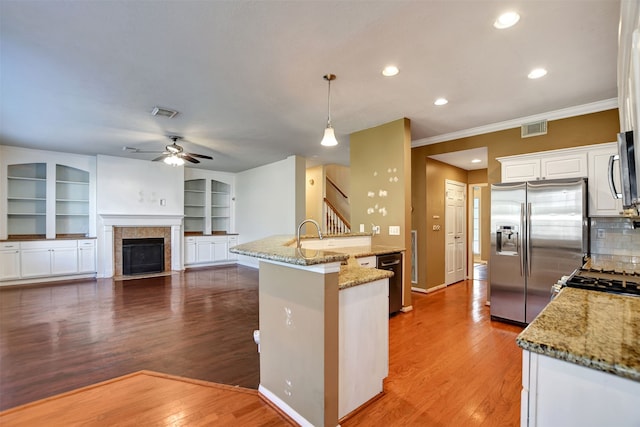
{"type": "Point", "coordinates": [270, 200]}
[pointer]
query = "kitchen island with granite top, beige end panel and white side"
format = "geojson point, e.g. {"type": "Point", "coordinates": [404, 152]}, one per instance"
{"type": "Point", "coordinates": [323, 330]}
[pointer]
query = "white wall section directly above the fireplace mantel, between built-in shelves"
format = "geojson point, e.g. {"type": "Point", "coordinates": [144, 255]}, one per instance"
{"type": "Point", "coordinates": [137, 187]}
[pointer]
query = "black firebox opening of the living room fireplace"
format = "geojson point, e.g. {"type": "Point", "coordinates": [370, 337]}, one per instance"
{"type": "Point", "coordinates": [142, 256]}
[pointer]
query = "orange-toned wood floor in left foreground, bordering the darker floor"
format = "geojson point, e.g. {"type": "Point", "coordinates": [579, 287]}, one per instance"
{"type": "Point", "coordinates": [148, 398]}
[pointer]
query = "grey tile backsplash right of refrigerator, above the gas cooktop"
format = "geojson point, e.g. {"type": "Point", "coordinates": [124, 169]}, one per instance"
{"type": "Point", "coordinates": [614, 236]}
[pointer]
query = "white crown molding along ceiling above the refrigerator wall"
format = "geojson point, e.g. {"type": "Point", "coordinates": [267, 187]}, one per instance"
{"type": "Point", "coordinates": [593, 107]}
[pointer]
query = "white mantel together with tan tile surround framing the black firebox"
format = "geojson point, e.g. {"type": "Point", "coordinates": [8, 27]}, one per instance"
{"type": "Point", "coordinates": [114, 228]}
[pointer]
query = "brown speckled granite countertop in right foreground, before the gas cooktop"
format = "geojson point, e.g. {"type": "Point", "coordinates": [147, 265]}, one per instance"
{"type": "Point", "coordinates": [595, 329]}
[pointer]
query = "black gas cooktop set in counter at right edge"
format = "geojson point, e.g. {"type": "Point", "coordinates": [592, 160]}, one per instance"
{"type": "Point", "coordinates": [605, 281]}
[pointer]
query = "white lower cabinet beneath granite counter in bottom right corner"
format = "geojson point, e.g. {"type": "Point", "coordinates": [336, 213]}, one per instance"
{"type": "Point", "coordinates": [559, 393]}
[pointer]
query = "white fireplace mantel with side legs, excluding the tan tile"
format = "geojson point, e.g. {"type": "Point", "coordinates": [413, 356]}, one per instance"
{"type": "Point", "coordinates": [106, 231]}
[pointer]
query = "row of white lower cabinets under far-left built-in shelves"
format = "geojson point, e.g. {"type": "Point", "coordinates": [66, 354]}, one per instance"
{"type": "Point", "coordinates": [43, 260]}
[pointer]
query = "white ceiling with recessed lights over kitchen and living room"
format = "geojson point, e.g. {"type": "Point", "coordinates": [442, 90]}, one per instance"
{"type": "Point", "coordinates": [246, 76]}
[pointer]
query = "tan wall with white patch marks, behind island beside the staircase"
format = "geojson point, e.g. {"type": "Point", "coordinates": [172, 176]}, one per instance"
{"type": "Point", "coordinates": [381, 187]}
